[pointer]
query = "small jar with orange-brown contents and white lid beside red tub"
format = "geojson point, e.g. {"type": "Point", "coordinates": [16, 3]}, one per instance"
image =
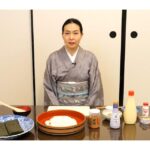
{"type": "Point", "coordinates": [94, 118]}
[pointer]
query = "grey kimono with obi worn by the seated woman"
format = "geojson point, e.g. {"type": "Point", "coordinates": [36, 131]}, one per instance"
{"type": "Point", "coordinates": [84, 72]}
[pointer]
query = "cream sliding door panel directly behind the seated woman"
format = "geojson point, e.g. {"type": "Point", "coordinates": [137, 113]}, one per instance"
{"type": "Point", "coordinates": [97, 25]}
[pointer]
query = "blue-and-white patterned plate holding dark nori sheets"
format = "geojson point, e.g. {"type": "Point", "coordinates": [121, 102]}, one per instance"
{"type": "Point", "coordinates": [26, 124]}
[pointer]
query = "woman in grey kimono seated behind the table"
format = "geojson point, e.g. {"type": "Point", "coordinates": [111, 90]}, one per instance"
{"type": "Point", "coordinates": [72, 76]}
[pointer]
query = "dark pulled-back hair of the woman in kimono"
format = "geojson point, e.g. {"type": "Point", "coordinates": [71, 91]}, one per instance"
{"type": "Point", "coordinates": [72, 20]}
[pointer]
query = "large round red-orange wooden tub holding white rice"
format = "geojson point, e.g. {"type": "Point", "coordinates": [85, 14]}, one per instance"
{"type": "Point", "coordinates": [79, 117]}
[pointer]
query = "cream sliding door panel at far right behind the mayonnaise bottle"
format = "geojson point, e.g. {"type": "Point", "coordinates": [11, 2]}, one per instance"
{"type": "Point", "coordinates": [137, 59]}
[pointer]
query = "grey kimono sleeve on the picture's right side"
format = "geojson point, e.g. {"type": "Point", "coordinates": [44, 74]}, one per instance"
{"type": "Point", "coordinates": [96, 96]}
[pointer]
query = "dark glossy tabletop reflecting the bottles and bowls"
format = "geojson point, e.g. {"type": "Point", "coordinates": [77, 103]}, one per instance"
{"type": "Point", "coordinates": [126, 132]}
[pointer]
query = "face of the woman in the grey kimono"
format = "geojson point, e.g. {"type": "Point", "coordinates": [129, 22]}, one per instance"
{"type": "Point", "coordinates": [72, 36]}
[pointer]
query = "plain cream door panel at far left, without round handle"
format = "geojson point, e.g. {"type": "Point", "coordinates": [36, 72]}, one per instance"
{"type": "Point", "coordinates": [15, 57]}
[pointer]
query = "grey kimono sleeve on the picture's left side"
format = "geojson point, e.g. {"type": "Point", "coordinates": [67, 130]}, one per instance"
{"type": "Point", "coordinates": [50, 92]}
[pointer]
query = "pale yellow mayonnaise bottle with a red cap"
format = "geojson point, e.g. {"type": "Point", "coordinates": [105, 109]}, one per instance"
{"type": "Point", "coordinates": [130, 113]}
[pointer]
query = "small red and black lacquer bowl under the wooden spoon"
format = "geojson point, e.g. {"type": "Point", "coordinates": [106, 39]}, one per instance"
{"type": "Point", "coordinates": [26, 113]}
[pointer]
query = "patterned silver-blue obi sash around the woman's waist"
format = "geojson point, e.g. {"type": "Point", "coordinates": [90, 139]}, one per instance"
{"type": "Point", "coordinates": [72, 93]}
